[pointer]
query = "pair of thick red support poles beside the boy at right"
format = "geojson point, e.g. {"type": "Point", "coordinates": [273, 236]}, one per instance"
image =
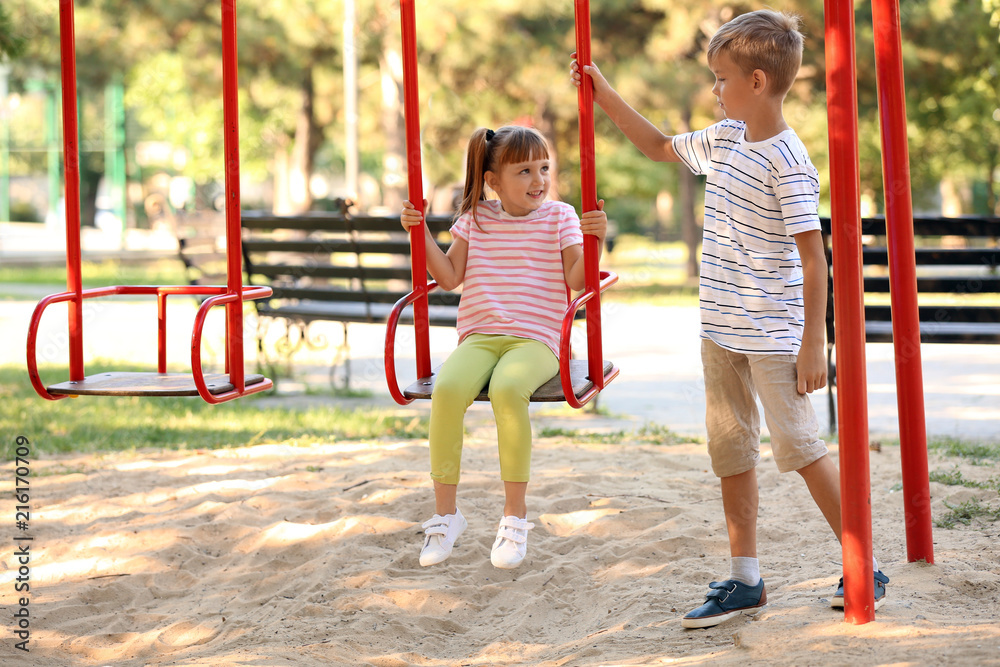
{"type": "Point", "coordinates": [847, 271]}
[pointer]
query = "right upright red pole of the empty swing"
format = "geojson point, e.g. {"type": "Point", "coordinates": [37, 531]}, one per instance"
{"type": "Point", "coordinates": [234, 242]}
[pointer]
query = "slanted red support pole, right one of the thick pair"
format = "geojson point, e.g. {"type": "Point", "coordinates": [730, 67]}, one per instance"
{"type": "Point", "coordinates": [903, 280]}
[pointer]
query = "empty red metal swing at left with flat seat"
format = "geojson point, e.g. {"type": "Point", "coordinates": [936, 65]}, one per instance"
{"type": "Point", "coordinates": [213, 388]}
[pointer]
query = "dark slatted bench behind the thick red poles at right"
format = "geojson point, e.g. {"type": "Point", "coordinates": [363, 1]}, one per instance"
{"type": "Point", "coordinates": [958, 284]}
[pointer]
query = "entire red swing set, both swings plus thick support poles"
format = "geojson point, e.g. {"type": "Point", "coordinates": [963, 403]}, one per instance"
{"type": "Point", "coordinates": [842, 110]}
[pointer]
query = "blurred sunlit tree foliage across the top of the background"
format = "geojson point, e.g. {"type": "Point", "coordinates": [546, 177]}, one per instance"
{"type": "Point", "coordinates": [486, 64]}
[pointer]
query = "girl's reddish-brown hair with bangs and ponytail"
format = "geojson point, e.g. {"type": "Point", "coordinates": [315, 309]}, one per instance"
{"type": "Point", "coordinates": [508, 145]}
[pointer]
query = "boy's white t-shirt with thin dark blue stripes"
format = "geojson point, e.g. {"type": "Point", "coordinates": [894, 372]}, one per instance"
{"type": "Point", "coordinates": [757, 197]}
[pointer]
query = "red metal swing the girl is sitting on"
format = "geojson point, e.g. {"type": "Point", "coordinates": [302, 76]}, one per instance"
{"type": "Point", "coordinates": [578, 380]}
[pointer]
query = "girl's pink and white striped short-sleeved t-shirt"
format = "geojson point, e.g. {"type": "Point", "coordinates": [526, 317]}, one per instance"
{"type": "Point", "coordinates": [514, 281]}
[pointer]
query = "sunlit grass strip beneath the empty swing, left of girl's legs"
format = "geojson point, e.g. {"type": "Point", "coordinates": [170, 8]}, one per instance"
{"type": "Point", "coordinates": [89, 424]}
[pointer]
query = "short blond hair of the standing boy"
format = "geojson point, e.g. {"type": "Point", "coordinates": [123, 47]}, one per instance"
{"type": "Point", "coordinates": [766, 40]}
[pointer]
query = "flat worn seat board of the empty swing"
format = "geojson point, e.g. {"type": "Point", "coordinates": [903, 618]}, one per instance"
{"type": "Point", "coordinates": [148, 384]}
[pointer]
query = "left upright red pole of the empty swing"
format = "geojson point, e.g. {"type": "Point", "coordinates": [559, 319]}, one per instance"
{"type": "Point", "coordinates": [71, 162]}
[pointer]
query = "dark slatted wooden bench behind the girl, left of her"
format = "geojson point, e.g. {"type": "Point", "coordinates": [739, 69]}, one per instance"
{"type": "Point", "coordinates": [333, 266]}
